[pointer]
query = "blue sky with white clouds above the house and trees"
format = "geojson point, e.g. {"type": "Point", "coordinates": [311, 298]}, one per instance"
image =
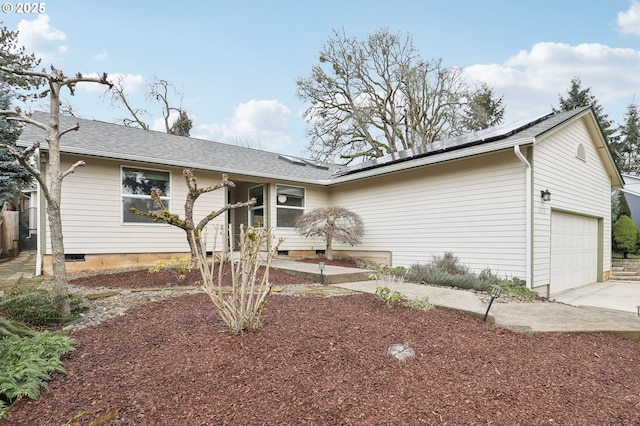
{"type": "Point", "coordinates": [236, 62]}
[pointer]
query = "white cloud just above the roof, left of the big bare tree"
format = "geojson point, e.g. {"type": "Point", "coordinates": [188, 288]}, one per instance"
{"type": "Point", "coordinates": [257, 123]}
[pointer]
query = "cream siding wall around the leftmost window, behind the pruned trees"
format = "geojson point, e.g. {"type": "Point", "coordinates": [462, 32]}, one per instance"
{"type": "Point", "coordinates": [92, 219]}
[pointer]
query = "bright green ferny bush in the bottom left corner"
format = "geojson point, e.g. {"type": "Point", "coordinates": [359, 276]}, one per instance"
{"type": "Point", "coordinates": [27, 363]}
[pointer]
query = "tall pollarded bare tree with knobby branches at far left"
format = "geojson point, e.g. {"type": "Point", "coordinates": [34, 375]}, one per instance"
{"type": "Point", "coordinates": [51, 184]}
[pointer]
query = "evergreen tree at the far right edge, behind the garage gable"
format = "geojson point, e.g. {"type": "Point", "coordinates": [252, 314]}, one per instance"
{"type": "Point", "coordinates": [627, 144]}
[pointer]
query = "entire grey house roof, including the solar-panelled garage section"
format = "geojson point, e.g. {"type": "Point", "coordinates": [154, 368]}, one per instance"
{"type": "Point", "coordinates": [106, 140]}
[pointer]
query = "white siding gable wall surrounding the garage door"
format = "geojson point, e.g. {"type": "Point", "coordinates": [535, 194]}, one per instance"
{"type": "Point", "coordinates": [582, 187]}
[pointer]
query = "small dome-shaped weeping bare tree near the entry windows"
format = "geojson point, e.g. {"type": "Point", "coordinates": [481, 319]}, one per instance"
{"type": "Point", "coordinates": [331, 224]}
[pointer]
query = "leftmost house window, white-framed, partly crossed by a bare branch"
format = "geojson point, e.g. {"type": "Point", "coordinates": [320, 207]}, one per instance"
{"type": "Point", "coordinates": [136, 192]}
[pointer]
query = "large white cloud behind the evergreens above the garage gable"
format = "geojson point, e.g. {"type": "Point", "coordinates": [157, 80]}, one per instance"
{"type": "Point", "coordinates": [532, 80]}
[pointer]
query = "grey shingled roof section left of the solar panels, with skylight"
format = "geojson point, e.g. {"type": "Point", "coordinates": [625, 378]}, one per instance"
{"type": "Point", "coordinates": [113, 141]}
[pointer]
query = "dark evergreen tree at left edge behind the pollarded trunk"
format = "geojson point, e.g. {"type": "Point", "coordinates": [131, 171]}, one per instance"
{"type": "Point", "coordinates": [13, 177]}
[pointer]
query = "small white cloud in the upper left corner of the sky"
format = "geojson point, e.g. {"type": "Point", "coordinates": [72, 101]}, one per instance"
{"type": "Point", "coordinates": [40, 38]}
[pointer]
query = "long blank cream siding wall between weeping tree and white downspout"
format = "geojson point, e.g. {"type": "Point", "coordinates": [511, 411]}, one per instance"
{"type": "Point", "coordinates": [474, 208]}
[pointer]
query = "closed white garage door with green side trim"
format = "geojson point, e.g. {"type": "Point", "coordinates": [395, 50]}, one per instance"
{"type": "Point", "coordinates": [574, 251]}
